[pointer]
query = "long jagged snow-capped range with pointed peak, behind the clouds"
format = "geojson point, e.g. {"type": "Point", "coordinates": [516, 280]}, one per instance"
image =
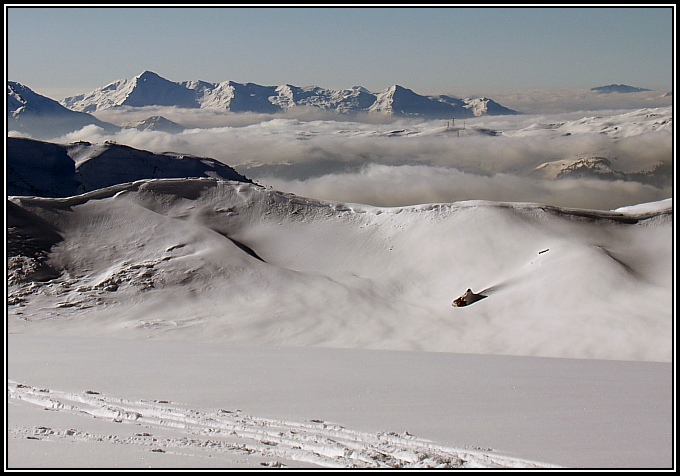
{"type": "Point", "coordinates": [150, 89]}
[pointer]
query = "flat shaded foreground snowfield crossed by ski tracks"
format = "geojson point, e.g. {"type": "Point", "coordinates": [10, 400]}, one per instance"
{"type": "Point", "coordinates": [111, 403]}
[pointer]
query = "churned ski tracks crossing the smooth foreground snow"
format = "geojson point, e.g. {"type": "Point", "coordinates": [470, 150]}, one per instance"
{"type": "Point", "coordinates": [210, 432]}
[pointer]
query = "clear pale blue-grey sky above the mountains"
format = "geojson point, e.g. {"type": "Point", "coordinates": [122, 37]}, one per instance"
{"type": "Point", "coordinates": [67, 51]}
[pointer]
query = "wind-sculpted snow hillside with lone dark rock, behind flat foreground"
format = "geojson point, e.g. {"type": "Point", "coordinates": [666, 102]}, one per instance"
{"type": "Point", "coordinates": [237, 262]}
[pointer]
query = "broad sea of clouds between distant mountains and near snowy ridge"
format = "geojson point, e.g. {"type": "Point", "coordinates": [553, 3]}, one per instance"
{"type": "Point", "coordinates": [404, 162]}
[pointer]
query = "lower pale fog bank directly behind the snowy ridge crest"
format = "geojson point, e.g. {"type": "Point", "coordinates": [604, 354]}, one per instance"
{"type": "Point", "coordinates": [383, 185]}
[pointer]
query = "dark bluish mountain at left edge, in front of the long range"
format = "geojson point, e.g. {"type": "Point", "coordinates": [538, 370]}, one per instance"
{"type": "Point", "coordinates": [42, 117]}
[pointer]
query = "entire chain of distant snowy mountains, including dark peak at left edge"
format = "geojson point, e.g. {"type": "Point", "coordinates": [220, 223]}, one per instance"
{"type": "Point", "coordinates": [43, 118]}
